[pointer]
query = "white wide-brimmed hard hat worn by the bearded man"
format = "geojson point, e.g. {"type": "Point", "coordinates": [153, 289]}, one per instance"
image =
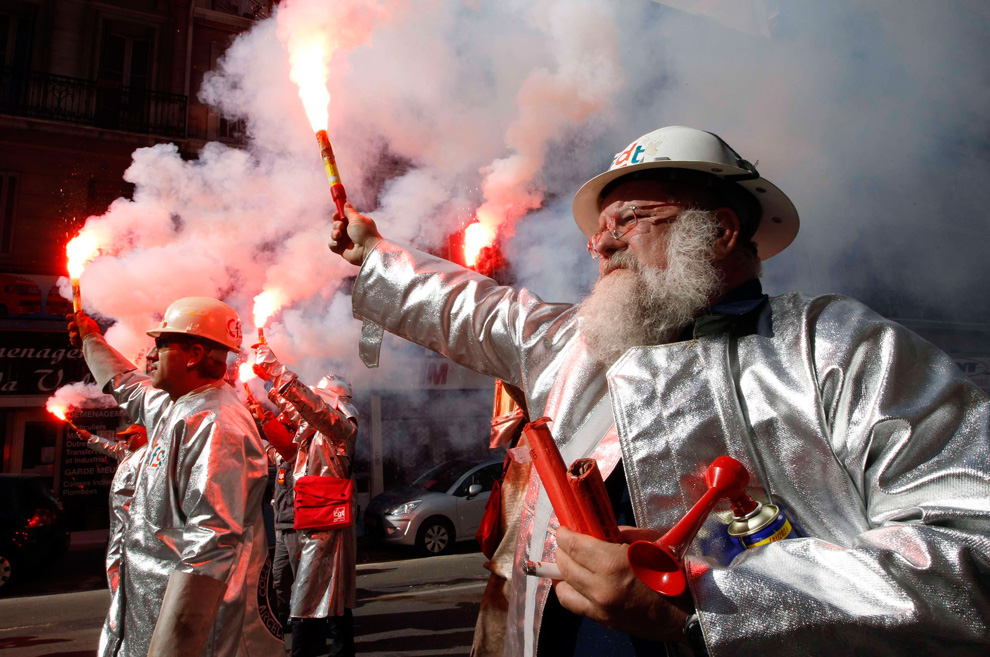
{"type": "Point", "coordinates": [677, 147]}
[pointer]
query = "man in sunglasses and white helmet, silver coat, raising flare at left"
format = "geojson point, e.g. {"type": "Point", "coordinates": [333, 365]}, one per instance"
{"type": "Point", "coordinates": [194, 541]}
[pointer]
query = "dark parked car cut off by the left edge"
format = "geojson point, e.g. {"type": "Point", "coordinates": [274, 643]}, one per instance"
{"type": "Point", "coordinates": [33, 530]}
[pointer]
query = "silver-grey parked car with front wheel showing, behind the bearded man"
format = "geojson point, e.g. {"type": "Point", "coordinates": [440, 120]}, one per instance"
{"type": "Point", "coordinates": [443, 506]}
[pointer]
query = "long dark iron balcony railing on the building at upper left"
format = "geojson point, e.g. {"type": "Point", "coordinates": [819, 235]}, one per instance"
{"type": "Point", "coordinates": [86, 102]}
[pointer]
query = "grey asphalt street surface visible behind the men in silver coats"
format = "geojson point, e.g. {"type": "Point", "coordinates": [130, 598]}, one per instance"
{"type": "Point", "coordinates": [407, 607]}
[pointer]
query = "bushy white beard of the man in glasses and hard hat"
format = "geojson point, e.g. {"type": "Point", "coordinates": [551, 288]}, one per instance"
{"type": "Point", "coordinates": [636, 305]}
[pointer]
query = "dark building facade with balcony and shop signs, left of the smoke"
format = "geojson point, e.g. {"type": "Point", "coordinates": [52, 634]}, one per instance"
{"type": "Point", "coordinates": [82, 85]}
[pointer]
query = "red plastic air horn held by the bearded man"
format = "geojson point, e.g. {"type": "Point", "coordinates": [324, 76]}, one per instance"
{"type": "Point", "coordinates": [659, 564]}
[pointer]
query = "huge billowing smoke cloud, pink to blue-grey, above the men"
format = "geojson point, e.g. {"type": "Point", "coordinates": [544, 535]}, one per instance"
{"type": "Point", "coordinates": [872, 116]}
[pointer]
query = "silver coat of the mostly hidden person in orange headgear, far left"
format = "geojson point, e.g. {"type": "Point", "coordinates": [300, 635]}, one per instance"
{"type": "Point", "coordinates": [121, 494]}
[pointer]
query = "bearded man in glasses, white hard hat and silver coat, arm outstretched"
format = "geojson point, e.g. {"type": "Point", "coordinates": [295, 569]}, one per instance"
{"type": "Point", "coordinates": [872, 439]}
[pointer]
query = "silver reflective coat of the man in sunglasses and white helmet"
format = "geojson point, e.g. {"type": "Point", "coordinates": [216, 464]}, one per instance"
{"type": "Point", "coordinates": [196, 506]}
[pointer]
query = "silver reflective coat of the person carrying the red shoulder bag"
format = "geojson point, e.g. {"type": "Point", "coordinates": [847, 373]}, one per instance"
{"type": "Point", "coordinates": [326, 578]}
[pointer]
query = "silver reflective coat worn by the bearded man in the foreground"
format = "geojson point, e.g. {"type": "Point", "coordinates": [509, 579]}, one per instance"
{"type": "Point", "coordinates": [872, 439]}
